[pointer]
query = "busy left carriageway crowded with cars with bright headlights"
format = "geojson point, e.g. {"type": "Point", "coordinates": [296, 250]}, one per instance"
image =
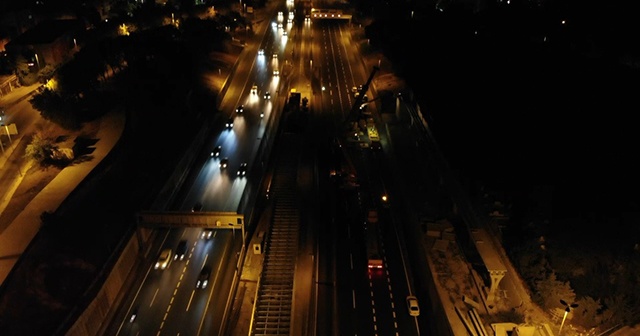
{"type": "Point", "coordinates": [168, 300]}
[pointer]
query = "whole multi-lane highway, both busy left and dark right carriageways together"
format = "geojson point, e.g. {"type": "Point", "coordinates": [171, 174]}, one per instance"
{"type": "Point", "coordinates": [319, 59]}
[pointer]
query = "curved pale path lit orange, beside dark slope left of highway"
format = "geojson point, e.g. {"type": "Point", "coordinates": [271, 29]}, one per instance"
{"type": "Point", "coordinates": [17, 237]}
